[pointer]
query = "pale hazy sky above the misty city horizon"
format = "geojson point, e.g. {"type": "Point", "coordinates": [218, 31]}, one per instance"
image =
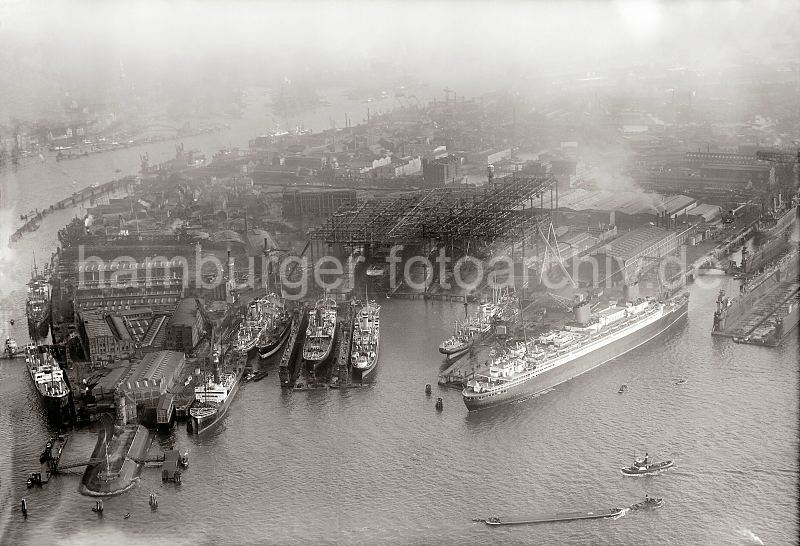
{"type": "Point", "coordinates": [52, 43]}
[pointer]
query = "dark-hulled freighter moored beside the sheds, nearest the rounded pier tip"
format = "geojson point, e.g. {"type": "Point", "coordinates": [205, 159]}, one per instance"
{"type": "Point", "coordinates": [213, 397]}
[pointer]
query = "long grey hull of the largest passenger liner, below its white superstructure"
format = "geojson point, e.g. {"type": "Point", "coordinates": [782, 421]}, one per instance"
{"type": "Point", "coordinates": [577, 366]}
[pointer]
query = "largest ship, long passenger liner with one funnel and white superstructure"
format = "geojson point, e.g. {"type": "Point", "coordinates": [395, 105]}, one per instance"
{"type": "Point", "coordinates": [537, 365]}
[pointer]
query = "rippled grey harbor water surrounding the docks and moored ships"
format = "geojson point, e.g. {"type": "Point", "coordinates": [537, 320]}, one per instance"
{"type": "Point", "coordinates": [381, 465]}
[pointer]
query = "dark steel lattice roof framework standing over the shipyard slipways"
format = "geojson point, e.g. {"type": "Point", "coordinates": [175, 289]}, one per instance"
{"type": "Point", "coordinates": [494, 211]}
